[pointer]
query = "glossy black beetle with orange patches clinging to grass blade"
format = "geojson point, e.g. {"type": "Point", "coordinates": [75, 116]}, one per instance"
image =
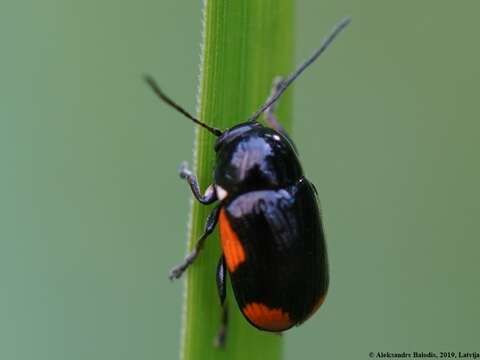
{"type": "Point", "coordinates": [272, 238]}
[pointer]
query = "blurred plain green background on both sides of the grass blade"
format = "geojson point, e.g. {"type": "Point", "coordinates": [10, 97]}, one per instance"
{"type": "Point", "coordinates": [92, 214]}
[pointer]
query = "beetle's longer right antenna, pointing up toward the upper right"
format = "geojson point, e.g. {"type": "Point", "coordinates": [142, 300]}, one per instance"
{"type": "Point", "coordinates": [287, 82]}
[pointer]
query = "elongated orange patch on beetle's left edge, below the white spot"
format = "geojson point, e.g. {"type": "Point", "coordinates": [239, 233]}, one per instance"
{"type": "Point", "coordinates": [232, 247]}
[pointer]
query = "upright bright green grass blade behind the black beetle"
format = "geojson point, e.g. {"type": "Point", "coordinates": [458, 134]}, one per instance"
{"type": "Point", "coordinates": [245, 45]}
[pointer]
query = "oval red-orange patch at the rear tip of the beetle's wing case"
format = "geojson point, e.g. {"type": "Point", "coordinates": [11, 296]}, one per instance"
{"type": "Point", "coordinates": [267, 318]}
